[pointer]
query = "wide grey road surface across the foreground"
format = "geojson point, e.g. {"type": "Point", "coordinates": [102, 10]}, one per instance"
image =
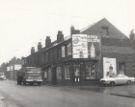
{"type": "Point", "coordinates": [50, 96]}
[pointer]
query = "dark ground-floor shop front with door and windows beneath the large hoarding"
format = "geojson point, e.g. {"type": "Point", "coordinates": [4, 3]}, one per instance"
{"type": "Point", "coordinates": [77, 72]}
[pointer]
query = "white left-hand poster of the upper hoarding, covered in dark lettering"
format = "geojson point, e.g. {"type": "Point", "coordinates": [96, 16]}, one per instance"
{"type": "Point", "coordinates": [80, 46]}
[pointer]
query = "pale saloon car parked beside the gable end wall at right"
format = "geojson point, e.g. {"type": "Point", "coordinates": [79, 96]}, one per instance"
{"type": "Point", "coordinates": [117, 80]}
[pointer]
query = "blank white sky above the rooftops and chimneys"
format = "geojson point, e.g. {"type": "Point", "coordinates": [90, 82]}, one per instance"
{"type": "Point", "coordinates": [24, 23]}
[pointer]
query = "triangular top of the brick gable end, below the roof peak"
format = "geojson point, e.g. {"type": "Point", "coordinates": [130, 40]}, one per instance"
{"type": "Point", "coordinates": [99, 27]}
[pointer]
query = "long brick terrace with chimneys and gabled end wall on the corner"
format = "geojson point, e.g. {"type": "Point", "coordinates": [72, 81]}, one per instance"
{"type": "Point", "coordinates": [71, 62]}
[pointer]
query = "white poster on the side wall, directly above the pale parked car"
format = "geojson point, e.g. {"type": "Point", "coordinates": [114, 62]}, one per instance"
{"type": "Point", "coordinates": [109, 67]}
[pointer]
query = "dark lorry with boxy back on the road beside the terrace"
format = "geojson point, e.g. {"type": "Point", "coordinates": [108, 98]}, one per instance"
{"type": "Point", "coordinates": [29, 75]}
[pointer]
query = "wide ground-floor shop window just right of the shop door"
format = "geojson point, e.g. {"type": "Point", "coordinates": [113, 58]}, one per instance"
{"type": "Point", "coordinates": [90, 72]}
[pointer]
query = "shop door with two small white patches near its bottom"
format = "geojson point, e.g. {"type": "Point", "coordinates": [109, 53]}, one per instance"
{"type": "Point", "coordinates": [77, 74]}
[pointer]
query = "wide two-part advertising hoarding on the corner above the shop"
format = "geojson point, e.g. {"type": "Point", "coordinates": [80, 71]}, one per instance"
{"type": "Point", "coordinates": [86, 46]}
